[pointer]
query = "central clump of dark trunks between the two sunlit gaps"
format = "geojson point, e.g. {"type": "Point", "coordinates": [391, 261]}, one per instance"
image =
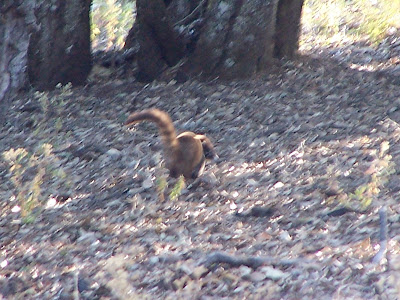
{"type": "Point", "coordinates": [226, 39]}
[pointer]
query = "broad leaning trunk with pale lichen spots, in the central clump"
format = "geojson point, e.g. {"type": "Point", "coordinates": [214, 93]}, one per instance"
{"type": "Point", "coordinates": [237, 39]}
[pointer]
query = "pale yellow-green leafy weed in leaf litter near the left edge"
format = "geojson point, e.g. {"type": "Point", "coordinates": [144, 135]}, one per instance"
{"type": "Point", "coordinates": [28, 172]}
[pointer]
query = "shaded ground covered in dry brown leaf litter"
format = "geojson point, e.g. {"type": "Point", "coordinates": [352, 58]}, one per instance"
{"type": "Point", "coordinates": [309, 156]}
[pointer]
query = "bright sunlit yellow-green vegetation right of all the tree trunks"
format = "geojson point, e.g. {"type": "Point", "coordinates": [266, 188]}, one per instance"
{"type": "Point", "coordinates": [336, 21]}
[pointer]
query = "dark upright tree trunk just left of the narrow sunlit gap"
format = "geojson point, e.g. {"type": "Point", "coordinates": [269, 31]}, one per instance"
{"type": "Point", "coordinates": [60, 51]}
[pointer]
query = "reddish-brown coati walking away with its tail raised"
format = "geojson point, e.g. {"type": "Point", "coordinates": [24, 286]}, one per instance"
{"type": "Point", "coordinates": [186, 153]}
